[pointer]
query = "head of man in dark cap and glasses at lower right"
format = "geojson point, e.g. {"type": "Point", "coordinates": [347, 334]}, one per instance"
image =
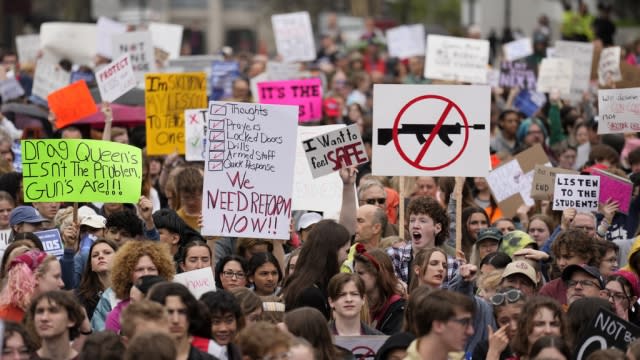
{"type": "Point", "coordinates": [583, 281]}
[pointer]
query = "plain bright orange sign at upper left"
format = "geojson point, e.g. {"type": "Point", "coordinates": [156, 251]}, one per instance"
{"type": "Point", "coordinates": [71, 103]}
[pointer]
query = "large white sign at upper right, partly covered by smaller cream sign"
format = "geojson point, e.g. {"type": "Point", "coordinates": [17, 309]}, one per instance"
{"type": "Point", "coordinates": [581, 54]}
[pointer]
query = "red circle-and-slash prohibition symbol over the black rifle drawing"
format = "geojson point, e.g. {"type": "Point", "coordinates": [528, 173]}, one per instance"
{"type": "Point", "coordinates": [450, 106]}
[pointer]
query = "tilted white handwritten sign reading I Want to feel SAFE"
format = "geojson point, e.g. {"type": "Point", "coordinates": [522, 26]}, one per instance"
{"type": "Point", "coordinates": [332, 151]}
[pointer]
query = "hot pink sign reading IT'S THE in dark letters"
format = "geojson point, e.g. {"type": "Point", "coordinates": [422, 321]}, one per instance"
{"type": "Point", "coordinates": [306, 93]}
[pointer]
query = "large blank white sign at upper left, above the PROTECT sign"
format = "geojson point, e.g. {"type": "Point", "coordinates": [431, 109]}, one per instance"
{"type": "Point", "coordinates": [73, 41]}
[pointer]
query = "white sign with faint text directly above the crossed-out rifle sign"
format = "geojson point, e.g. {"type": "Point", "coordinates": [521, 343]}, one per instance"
{"type": "Point", "coordinates": [457, 59]}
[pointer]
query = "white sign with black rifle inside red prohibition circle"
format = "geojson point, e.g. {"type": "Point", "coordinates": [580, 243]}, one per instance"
{"type": "Point", "coordinates": [435, 130]}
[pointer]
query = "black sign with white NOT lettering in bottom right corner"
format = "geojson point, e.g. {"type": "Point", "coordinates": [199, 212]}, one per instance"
{"type": "Point", "coordinates": [606, 330]}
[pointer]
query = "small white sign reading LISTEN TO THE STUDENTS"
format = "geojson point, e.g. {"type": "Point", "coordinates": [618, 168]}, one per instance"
{"type": "Point", "coordinates": [580, 192]}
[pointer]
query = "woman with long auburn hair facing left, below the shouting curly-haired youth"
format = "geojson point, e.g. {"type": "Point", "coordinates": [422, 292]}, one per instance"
{"type": "Point", "coordinates": [384, 292]}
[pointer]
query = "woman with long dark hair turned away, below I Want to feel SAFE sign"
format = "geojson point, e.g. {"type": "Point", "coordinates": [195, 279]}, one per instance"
{"type": "Point", "coordinates": [320, 259]}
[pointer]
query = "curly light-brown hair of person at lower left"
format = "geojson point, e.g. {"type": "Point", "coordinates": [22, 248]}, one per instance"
{"type": "Point", "coordinates": [127, 257]}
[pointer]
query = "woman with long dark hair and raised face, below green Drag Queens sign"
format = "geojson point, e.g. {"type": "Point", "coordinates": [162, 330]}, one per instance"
{"type": "Point", "coordinates": [96, 275]}
